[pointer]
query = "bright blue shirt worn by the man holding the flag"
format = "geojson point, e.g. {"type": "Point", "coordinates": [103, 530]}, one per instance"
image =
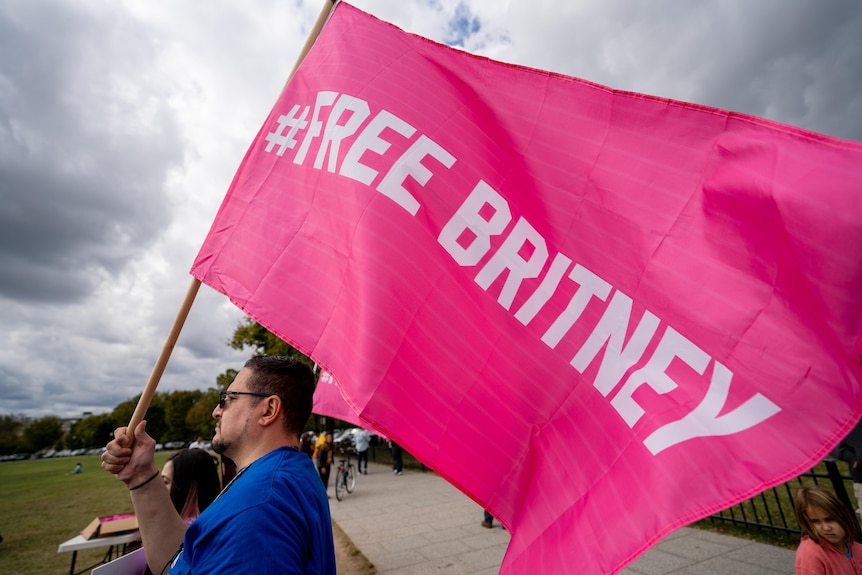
{"type": "Point", "coordinates": [273, 518]}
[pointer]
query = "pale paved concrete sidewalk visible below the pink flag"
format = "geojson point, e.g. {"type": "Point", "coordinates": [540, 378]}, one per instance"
{"type": "Point", "coordinates": [418, 524]}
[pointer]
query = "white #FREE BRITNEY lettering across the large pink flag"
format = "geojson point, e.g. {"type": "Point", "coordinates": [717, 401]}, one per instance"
{"type": "Point", "coordinates": [485, 214]}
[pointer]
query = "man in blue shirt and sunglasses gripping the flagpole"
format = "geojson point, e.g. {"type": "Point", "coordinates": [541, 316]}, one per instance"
{"type": "Point", "coordinates": [273, 516]}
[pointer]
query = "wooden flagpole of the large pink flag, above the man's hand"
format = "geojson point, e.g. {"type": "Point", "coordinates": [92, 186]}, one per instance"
{"type": "Point", "coordinates": [179, 321]}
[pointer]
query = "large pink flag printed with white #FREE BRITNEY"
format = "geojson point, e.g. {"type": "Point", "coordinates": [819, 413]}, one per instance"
{"type": "Point", "coordinates": [602, 315]}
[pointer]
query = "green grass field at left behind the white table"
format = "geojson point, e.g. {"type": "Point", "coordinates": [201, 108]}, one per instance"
{"type": "Point", "coordinates": [41, 506]}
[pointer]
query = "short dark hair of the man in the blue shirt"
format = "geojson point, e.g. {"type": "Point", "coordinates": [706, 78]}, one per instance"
{"type": "Point", "coordinates": [288, 378]}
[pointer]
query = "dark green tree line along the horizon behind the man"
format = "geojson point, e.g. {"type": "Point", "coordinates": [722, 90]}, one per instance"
{"type": "Point", "coordinates": [172, 415]}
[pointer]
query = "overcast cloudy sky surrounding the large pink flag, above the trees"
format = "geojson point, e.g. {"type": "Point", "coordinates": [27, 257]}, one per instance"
{"type": "Point", "coordinates": [122, 123]}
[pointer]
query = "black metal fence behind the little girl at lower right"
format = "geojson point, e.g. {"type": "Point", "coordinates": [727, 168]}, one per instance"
{"type": "Point", "coordinates": [772, 510]}
